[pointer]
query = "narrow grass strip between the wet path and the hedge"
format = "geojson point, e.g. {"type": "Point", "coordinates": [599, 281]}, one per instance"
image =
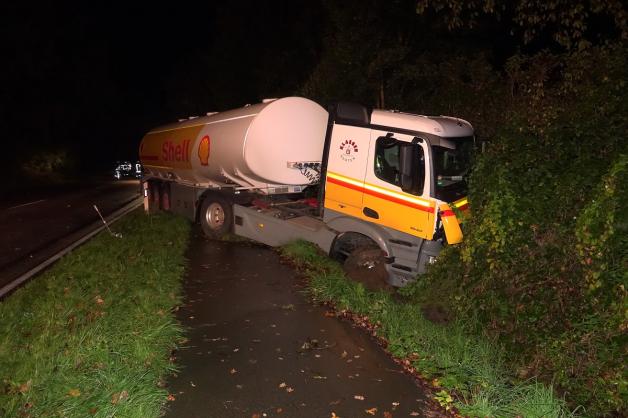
{"type": "Point", "coordinates": [467, 371]}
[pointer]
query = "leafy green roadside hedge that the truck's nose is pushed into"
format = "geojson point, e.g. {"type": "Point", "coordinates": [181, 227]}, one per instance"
{"type": "Point", "coordinates": [544, 264]}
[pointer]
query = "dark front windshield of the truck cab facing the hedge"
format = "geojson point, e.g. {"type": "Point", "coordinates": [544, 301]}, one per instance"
{"type": "Point", "coordinates": [451, 168]}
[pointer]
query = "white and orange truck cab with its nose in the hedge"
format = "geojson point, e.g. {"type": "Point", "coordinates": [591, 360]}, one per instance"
{"type": "Point", "coordinates": [394, 177]}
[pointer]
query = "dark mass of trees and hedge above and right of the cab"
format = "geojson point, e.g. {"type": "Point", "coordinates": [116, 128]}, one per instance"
{"type": "Point", "coordinates": [543, 266]}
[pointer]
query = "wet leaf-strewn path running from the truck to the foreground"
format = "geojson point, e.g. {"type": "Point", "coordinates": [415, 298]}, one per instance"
{"type": "Point", "coordinates": [259, 348]}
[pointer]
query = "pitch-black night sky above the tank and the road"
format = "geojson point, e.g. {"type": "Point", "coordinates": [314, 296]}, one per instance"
{"type": "Point", "coordinates": [92, 78]}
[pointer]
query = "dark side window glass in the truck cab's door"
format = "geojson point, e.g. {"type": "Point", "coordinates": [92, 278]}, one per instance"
{"type": "Point", "coordinates": [388, 161]}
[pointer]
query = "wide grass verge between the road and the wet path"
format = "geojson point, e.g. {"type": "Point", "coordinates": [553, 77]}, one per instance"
{"type": "Point", "coordinates": [92, 335]}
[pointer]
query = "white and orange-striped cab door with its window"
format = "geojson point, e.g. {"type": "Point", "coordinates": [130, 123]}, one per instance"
{"type": "Point", "coordinates": [385, 202]}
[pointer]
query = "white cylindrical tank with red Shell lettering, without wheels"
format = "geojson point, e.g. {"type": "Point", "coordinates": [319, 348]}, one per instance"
{"type": "Point", "coordinates": [264, 146]}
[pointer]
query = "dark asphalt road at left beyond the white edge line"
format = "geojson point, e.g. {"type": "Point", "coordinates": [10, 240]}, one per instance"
{"type": "Point", "coordinates": [37, 224]}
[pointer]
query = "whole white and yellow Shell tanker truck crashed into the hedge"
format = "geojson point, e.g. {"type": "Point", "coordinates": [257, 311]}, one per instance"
{"type": "Point", "coordinates": [377, 186]}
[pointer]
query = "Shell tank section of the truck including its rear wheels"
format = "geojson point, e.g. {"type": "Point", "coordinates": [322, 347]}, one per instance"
{"type": "Point", "coordinates": [197, 166]}
